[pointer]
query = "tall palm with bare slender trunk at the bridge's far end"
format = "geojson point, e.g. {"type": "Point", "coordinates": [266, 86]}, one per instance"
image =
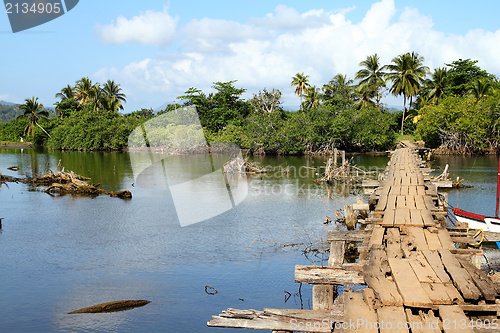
{"type": "Point", "coordinates": [406, 73]}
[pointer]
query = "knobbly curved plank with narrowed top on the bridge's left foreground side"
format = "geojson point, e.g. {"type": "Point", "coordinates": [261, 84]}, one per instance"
{"type": "Point", "coordinates": [376, 273]}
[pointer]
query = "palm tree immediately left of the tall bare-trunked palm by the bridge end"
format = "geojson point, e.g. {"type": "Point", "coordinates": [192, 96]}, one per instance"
{"type": "Point", "coordinates": [372, 76]}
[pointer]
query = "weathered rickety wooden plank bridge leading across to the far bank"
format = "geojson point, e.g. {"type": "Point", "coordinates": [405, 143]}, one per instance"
{"type": "Point", "coordinates": [416, 278]}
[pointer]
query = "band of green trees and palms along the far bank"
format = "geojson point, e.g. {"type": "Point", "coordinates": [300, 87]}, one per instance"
{"type": "Point", "coordinates": [455, 106]}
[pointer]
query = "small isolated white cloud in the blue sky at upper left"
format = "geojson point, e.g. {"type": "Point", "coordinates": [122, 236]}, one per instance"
{"type": "Point", "coordinates": [150, 27]}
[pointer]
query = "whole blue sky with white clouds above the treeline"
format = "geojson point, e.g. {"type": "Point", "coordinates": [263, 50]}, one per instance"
{"type": "Point", "coordinates": [156, 50]}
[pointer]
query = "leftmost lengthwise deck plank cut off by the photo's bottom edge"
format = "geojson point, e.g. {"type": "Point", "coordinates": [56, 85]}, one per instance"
{"type": "Point", "coordinates": [357, 311]}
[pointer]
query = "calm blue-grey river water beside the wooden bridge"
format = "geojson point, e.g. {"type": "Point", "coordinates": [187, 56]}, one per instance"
{"type": "Point", "coordinates": [59, 254]}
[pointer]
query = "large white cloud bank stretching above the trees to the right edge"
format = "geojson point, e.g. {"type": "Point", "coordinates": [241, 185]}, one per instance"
{"type": "Point", "coordinates": [266, 52]}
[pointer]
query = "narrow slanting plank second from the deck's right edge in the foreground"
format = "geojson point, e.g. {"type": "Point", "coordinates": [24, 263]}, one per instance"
{"type": "Point", "coordinates": [461, 279]}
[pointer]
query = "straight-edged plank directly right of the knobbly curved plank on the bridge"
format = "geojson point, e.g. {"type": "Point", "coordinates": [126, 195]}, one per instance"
{"type": "Point", "coordinates": [408, 285]}
